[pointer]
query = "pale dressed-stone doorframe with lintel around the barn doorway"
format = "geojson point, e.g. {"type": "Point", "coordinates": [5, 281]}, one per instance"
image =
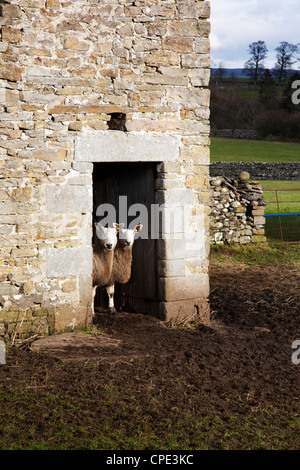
{"type": "Point", "coordinates": [181, 291]}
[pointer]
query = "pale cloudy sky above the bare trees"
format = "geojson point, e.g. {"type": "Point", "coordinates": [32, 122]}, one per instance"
{"type": "Point", "coordinates": [237, 23]}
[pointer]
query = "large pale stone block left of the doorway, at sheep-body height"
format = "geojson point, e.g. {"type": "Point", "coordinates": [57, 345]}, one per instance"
{"type": "Point", "coordinates": [68, 262]}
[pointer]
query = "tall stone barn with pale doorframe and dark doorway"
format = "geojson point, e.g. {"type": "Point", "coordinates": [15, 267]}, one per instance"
{"type": "Point", "coordinates": [102, 102]}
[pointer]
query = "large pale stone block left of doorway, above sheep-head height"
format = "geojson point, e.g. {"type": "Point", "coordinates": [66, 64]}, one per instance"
{"type": "Point", "coordinates": [69, 198]}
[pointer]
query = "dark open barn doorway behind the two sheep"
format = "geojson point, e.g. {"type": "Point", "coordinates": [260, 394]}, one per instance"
{"type": "Point", "coordinates": [136, 181]}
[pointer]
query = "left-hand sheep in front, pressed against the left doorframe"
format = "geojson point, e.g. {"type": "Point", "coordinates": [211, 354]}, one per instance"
{"type": "Point", "coordinates": [103, 254]}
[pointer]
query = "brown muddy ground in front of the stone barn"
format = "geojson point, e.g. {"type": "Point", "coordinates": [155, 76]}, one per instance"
{"type": "Point", "coordinates": [234, 377]}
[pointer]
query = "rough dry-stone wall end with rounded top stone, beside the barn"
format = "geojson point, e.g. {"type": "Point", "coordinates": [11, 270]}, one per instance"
{"type": "Point", "coordinates": [237, 210]}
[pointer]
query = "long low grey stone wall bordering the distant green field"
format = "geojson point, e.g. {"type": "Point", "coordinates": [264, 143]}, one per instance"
{"type": "Point", "coordinates": [259, 170]}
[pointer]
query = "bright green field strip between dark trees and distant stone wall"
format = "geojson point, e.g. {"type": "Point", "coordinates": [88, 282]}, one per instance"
{"type": "Point", "coordinates": [233, 150]}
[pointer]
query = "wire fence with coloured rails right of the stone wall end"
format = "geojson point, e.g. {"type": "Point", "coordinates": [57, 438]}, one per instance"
{"type": "Point", "coordinates": [283, 215]}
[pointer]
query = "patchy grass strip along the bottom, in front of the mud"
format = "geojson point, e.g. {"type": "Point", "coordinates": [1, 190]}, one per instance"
{"type": "Point", "coordinates": [57, 429]}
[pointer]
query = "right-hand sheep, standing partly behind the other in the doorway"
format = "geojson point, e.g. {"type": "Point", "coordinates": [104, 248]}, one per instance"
{"type": "Point", "coordinates": [122, 262]}
